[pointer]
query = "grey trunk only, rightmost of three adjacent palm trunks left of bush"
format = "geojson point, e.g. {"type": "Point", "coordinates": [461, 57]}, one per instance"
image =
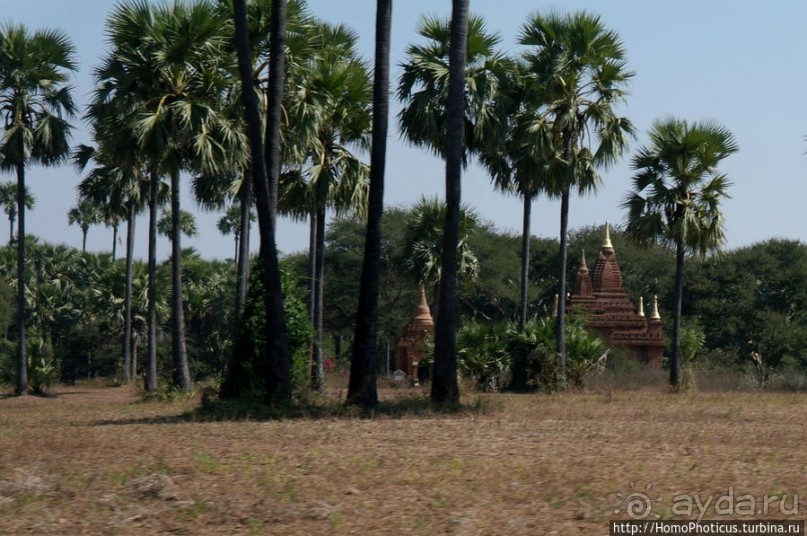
{"type": "Point", "coordinates": [182, 377]}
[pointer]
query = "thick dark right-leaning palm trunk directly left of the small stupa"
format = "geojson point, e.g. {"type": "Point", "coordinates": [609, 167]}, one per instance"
{"type": "Point", "coordinates": [362, 388]}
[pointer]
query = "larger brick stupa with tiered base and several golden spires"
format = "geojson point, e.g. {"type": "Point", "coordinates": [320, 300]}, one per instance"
{"type": "Point", "coordinates": [611, 313]}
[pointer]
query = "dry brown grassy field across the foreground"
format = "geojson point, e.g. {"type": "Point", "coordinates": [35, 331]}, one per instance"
{"type": "Point", "coordinates": [99, 461]}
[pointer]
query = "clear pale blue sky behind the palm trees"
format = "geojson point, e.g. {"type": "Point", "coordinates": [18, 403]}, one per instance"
{"type": "Point", "coordinates": [740, 62]}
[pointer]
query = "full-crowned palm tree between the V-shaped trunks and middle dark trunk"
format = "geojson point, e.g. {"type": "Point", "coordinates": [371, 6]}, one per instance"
{"type": "Point", "coordinates": [330, 111]}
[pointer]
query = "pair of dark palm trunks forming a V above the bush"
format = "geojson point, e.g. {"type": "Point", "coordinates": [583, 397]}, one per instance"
{"type": "Point", "coordinates": [266, 173]}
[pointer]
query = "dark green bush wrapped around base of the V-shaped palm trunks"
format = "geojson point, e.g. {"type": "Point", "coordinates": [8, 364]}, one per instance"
{"type": "Point", "coordinates": [246, 375]}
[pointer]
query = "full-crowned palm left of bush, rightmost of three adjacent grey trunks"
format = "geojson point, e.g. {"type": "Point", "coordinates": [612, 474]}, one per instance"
{"type": "Point", "coordinates": [174, 62]}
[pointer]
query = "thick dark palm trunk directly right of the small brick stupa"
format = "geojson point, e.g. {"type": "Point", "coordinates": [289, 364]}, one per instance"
{"type": "Point", "coordinates": [444, 383]}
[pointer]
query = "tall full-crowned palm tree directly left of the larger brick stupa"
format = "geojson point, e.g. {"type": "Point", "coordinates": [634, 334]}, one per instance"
{"type": "Point", "coordinates": [578, 66]}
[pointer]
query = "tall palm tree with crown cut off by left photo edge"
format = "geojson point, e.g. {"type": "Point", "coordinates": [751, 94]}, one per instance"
{"type": "Point", "coordinates": [35, 103]}
